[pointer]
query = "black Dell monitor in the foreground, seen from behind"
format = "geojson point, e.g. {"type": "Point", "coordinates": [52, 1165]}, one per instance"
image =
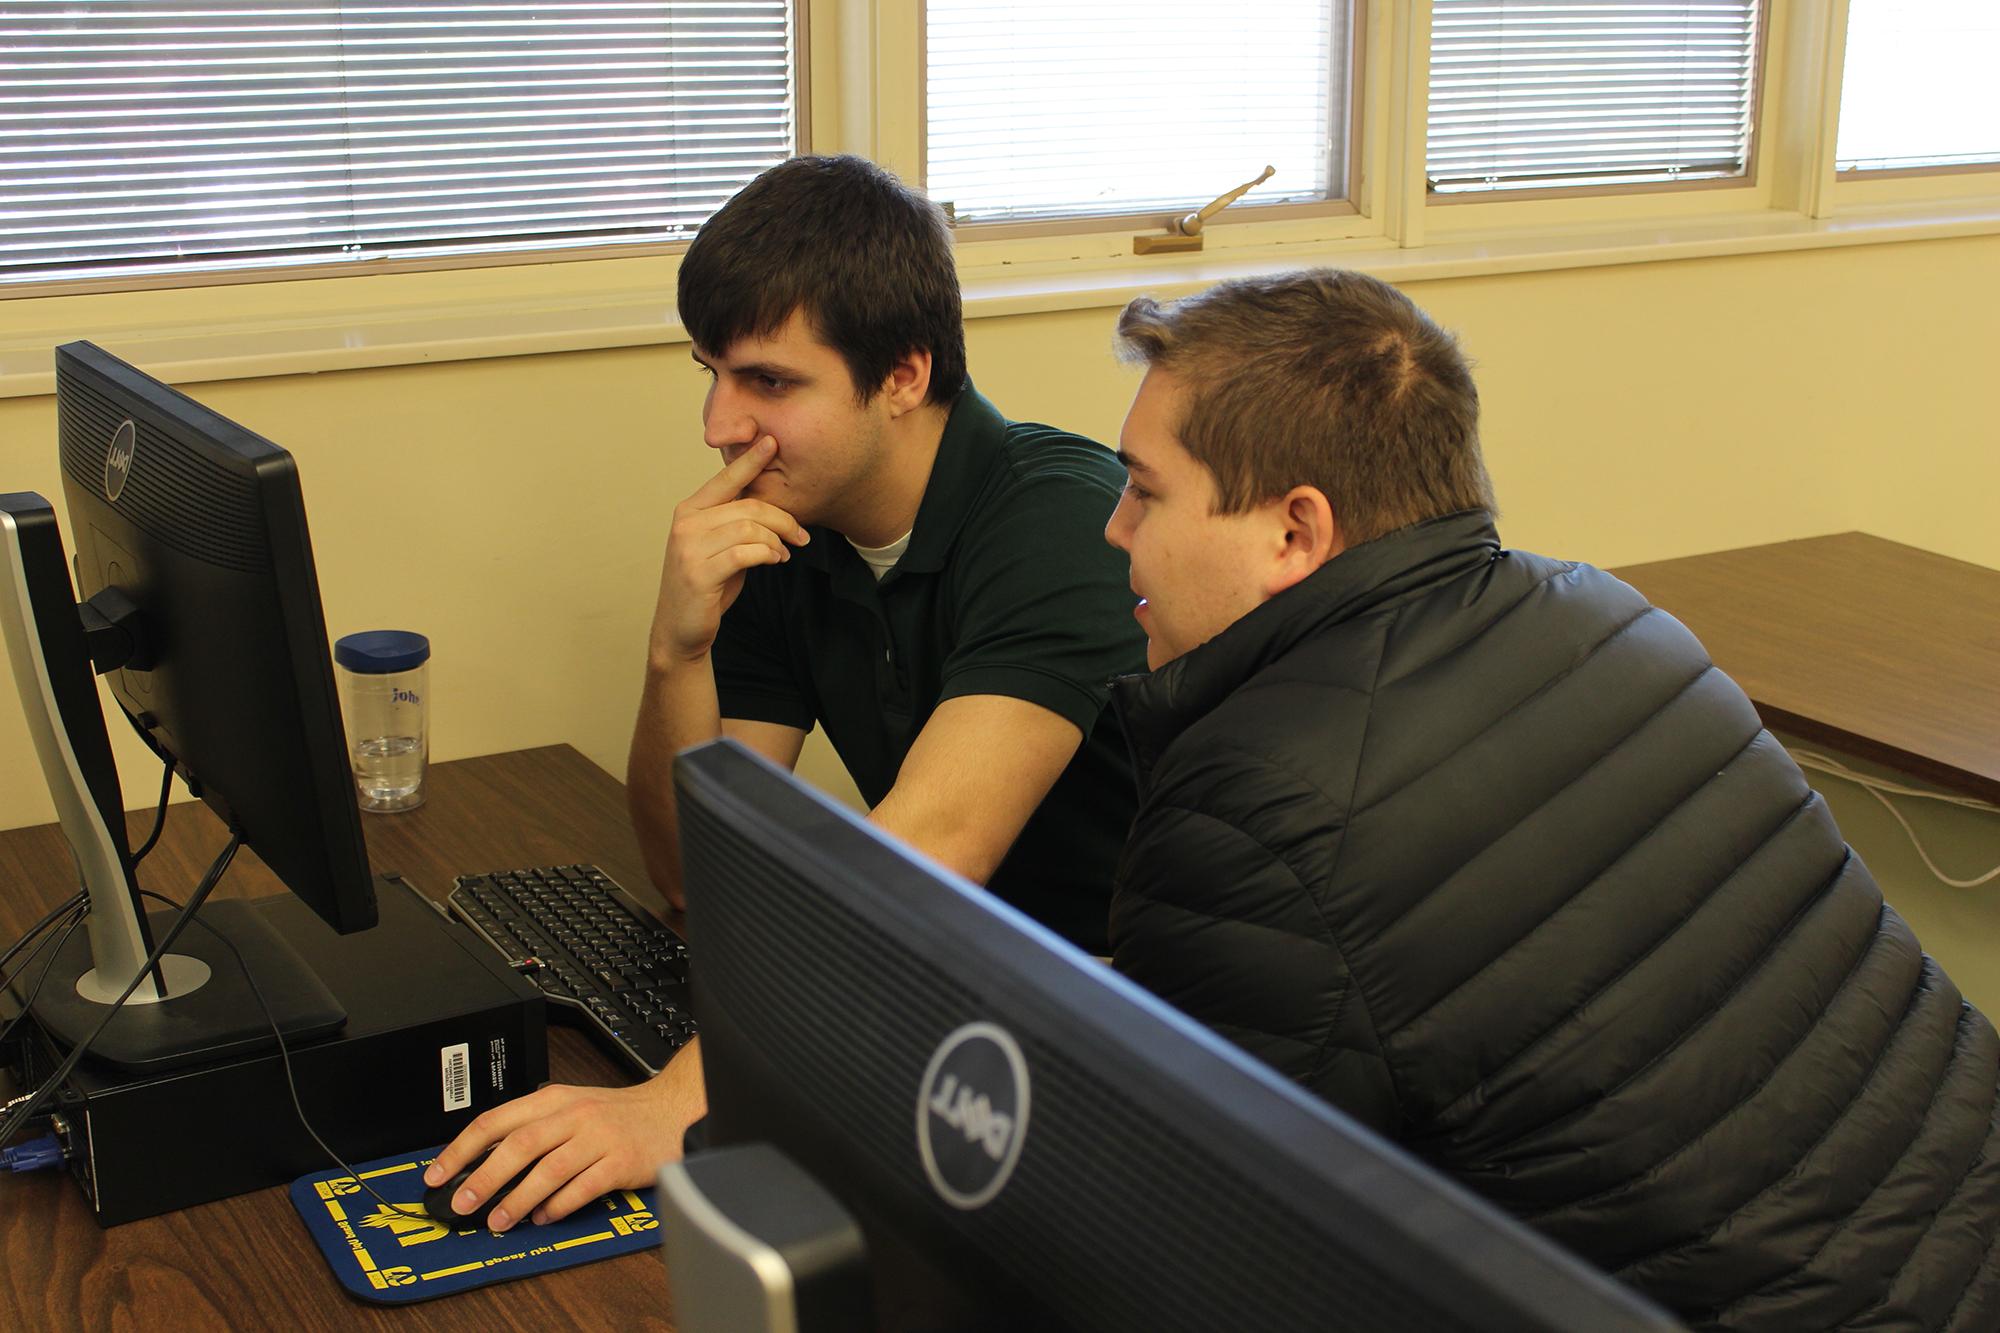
{"type": "Point", "coordinates": [1029, 1140]}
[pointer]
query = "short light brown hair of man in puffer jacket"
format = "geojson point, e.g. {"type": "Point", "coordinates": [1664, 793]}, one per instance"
{"type": "Point", "coordinates": [1321, 379]}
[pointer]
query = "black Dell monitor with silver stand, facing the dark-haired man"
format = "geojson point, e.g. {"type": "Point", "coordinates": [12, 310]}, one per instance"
{"type": "Point", "coordinates": [201, 603]}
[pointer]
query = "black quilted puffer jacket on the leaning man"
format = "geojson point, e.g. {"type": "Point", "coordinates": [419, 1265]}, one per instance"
{"type": "Point", "coordinates": [1483, 850]}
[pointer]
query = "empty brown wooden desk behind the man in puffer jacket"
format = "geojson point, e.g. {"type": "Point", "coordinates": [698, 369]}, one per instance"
{"type": "Point", "coordinates": [1853, 641]}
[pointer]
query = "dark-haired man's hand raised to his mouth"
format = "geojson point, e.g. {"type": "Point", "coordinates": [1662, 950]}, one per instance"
{"type": "Point", "coordinates": [715, 539]}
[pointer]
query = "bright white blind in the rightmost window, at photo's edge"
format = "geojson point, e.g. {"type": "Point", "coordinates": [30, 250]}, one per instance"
{"type": "Point", "coordinates": [1919, 85]}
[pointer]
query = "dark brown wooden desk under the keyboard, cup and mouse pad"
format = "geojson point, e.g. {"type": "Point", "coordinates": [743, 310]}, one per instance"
{"type": "Point", "coordinates": [247, 1262]}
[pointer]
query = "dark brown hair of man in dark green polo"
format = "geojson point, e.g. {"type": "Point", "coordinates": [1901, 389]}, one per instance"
{"type": "Point", "coordinates": [863, 257]}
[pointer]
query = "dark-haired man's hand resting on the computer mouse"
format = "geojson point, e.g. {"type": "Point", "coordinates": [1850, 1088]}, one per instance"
{"type": "Point", "coordinates": [585, 1142]}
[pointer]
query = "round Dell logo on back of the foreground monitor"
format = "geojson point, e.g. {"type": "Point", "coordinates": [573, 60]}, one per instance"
{"type": "Point", "coordinates": [973, 1114]}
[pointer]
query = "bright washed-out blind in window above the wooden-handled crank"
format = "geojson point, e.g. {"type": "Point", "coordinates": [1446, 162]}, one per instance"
{"type": "Point", "coordinates": [1051, 109]}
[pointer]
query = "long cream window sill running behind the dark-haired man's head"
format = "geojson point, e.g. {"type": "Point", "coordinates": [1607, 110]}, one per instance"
{"type": "Point", "coordinates": [339, 323]}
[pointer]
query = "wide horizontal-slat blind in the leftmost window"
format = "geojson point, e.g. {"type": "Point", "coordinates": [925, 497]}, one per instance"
{"type": "Point", "coordinates": [167, 135]}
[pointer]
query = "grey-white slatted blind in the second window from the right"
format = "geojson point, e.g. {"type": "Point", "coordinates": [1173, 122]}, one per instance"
{"type": "Point", "coordinates": [1567, 93]}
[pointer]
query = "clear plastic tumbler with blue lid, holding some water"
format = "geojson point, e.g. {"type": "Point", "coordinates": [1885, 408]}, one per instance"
{"type": "Point", "coordinates": [383, 690]}
